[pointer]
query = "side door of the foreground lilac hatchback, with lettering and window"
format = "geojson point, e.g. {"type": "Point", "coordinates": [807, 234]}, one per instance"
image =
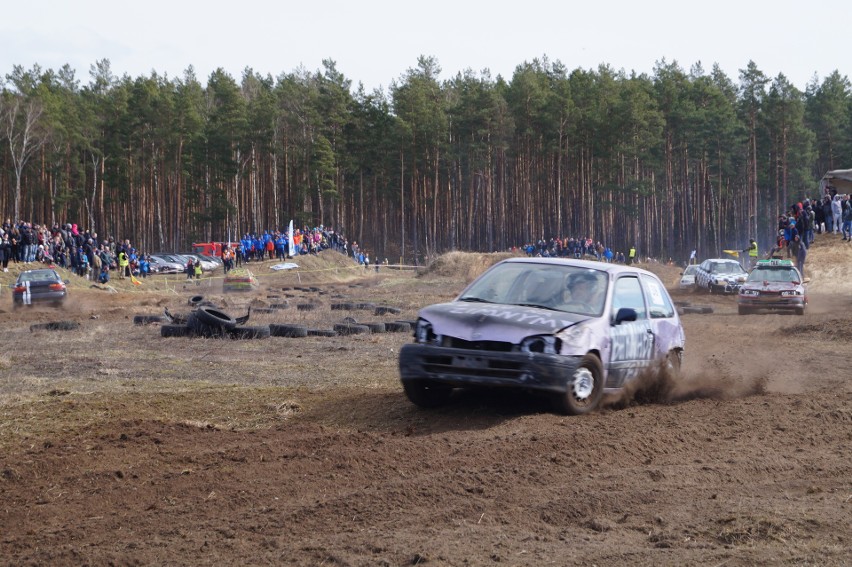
{"type": "Point", "coordinates": [632, 345]}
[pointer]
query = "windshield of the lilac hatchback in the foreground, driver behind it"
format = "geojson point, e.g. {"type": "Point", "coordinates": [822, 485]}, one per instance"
{"type": "Point", "coordinates": [549, 286]}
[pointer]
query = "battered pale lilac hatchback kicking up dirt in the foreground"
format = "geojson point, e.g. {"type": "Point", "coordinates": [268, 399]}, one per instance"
{"type": "Point", "coordinates": [572, 329]}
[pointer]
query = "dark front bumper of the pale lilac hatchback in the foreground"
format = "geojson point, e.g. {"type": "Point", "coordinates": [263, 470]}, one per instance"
{"type": "Point", "coordinates": [460, 368]}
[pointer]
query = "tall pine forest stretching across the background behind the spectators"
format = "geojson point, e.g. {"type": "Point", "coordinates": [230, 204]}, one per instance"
{"type": "Point", "coordinates": [671, 162]}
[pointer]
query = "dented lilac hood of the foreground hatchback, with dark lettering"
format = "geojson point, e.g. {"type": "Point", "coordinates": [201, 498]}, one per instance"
{"type": "Point", "coordinates": [495, 322]}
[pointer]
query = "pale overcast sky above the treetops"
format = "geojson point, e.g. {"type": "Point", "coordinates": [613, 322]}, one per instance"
{"type": "Point", "coordinates": [377, 41]}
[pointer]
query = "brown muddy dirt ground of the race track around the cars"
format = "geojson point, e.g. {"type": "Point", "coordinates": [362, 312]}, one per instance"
{"type": "Point", "coordinates": [121, 447]}
